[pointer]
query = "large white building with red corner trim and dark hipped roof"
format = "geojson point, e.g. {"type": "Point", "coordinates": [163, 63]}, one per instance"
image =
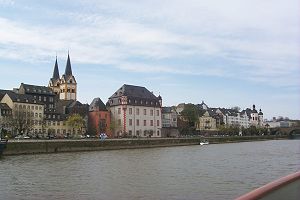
{"type": "Point", "coordinates": [135, 111]}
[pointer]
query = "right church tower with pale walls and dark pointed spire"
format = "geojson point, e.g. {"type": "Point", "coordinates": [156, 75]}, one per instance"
{"type": "Point", "coordinates": [68, 84]}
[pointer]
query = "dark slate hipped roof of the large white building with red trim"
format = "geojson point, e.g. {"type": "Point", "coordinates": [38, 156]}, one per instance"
{"type": "Point", "coordinates": [136, 95]}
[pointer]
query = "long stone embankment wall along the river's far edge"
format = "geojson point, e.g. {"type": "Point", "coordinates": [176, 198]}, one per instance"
{"type": "Point", "coordinates": [19, 147]}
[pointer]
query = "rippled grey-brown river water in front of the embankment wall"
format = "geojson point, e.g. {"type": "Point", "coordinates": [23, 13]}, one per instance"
{"type": "Point", "coordinates": [217, 171]}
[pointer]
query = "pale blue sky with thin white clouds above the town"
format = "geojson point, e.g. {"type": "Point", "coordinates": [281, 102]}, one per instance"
{"type": "Point", "coordinates": [225, 53]}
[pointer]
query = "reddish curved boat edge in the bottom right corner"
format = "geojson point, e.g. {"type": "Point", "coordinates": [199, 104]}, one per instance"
{"type": "Point", "coordinates": [287, 187]}
